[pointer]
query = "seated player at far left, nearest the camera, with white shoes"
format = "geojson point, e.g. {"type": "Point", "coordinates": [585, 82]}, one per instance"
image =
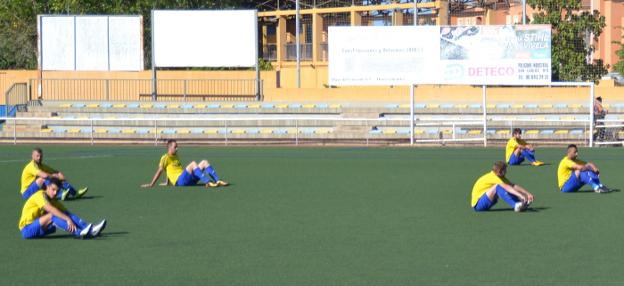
{"type": "Point", "coordinates": [42, 214]}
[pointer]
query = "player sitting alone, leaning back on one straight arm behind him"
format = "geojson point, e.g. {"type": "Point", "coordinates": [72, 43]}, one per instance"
{"type": "Point", "coordinates": [189, 176]}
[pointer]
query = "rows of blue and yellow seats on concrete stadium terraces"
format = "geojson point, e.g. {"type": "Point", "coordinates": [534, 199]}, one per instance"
{"type": "Point", "coordinates": [554, 121]}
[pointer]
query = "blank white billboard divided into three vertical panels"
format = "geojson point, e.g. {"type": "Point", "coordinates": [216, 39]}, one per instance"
{"type": "Point", "coordinates": [91, 43]}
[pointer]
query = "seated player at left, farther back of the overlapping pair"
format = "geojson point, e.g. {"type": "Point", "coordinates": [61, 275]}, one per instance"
{"type": "Point", "coordinates": [36, 176]}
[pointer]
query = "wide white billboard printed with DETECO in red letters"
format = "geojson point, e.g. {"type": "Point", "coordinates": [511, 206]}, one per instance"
{"type": "Point", "coordinates": [405, 55]}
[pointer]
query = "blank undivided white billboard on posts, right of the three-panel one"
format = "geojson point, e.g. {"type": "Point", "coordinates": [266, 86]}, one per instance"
{"type": "Point", "coordinates": [205, 38]}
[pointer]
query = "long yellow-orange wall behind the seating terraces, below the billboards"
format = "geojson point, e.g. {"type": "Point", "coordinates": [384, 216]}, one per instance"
{"type": "Point", "coordinates": [315, 89]}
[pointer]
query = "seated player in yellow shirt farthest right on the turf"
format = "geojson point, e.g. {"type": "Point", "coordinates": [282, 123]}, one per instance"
{"type": "Point", "coordinates": [574, 173]}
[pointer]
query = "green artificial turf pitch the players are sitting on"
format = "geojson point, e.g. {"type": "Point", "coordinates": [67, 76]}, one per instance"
{"type": "Point", "coordinates": [317, 216]}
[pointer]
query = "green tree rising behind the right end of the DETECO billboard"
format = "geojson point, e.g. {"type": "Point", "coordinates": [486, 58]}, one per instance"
{"type": "Point", "coordinates": [571, 43]}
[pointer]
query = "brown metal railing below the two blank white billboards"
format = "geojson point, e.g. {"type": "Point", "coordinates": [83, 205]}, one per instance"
{"type": "Point", "coordinates": [141, 89]}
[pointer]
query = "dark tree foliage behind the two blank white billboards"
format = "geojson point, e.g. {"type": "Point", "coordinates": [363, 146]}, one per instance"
{"type": "Point", "coordinates": [18, 21]}
